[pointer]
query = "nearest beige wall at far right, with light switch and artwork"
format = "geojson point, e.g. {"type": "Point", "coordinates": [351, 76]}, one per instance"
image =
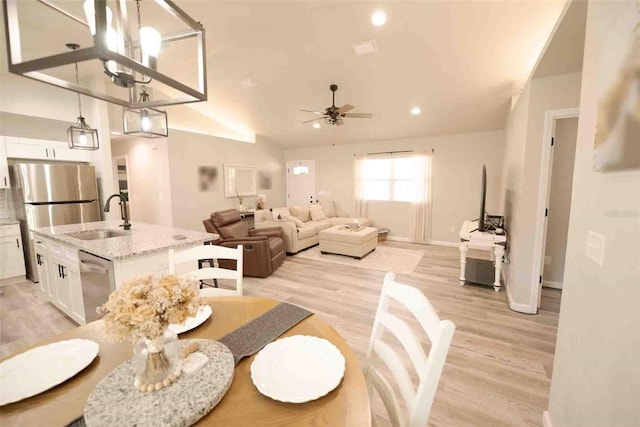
{"type": "Point", "coordinates": [596, 373]}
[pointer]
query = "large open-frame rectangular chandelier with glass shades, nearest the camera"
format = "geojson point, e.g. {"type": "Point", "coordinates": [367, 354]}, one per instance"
{"type": "Point", "coordinates": [129, 54]}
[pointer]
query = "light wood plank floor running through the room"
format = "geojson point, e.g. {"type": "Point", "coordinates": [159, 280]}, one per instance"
{"type": "Point", "coordinates": [498, 369]}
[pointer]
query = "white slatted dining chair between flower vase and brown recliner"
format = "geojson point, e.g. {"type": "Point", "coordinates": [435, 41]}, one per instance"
{"type": "Point", "coordinates": [216, 252]}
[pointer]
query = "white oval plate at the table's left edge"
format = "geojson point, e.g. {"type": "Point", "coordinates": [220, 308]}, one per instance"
{"type": "Point", "coordinates": [41, 368]}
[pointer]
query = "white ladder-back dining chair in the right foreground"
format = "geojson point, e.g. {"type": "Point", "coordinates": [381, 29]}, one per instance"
{"type": "Point", "coordinates": [417, 401]}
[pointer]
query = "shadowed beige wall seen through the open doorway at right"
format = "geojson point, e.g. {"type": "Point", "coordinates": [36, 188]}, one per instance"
{"type": "Point", "coordinates": [564, 153]}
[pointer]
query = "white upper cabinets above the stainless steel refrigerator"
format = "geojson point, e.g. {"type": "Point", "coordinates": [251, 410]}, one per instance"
{"type": "Point", "coordinates": [40, 149]}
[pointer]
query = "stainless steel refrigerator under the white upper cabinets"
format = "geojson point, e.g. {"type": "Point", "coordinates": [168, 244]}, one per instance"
{"type": "Point", "coordinates": [46, 194]}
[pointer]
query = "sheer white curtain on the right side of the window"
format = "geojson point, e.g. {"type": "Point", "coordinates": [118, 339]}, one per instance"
{"type": "Point", "coordinates": [420, 218]}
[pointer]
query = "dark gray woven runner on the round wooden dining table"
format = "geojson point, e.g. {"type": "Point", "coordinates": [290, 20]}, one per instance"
{"type": "Point", "coordinates": [252, 337]}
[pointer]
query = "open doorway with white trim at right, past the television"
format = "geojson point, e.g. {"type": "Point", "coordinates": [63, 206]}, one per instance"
{"type": "Point", "coordinates": [556, 181]}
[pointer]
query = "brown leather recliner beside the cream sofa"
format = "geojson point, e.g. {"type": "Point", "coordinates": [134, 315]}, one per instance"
{"type": "Point", "coordinates": [263, 248]}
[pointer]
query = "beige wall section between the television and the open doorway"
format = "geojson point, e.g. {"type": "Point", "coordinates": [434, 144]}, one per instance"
{"type": "Point", "coordinates": [524, 142]}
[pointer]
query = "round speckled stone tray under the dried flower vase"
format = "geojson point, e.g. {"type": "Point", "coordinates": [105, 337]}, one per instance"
{"type": "Point", "coordinates": [115, 401]}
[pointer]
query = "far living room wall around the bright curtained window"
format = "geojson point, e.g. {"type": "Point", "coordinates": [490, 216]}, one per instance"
{"type": "Point", "coordinates": [456, 178]}
